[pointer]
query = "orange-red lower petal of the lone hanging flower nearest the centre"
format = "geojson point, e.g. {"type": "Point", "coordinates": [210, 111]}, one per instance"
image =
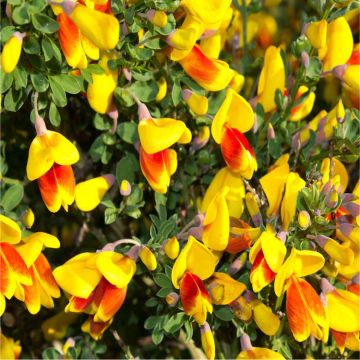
{"type": "Point", "coordinates": [158, 168]}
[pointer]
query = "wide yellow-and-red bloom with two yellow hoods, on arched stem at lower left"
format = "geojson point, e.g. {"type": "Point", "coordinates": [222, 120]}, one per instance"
{"type": "Point", "coordinates": [98, 287]}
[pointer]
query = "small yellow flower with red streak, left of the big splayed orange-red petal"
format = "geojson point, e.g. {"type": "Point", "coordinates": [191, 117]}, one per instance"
{"type": "Point", "coordinates": [266, 256]}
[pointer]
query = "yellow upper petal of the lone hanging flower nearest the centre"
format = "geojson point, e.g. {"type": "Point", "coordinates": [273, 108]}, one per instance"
{"type": "Point", "coordinates": [159, 134]}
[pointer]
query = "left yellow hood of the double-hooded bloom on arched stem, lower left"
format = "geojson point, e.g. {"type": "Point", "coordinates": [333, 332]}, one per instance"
{"type": "Point", "coordinates": [84, 278]}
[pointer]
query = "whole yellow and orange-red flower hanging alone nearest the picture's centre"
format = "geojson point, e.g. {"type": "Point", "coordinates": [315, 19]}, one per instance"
{"type": "Point", "coordinates": [157, 161]}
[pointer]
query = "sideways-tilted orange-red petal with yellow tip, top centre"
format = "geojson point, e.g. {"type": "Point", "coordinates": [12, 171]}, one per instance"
{"type": "Point", "coordinates": [211, 74]}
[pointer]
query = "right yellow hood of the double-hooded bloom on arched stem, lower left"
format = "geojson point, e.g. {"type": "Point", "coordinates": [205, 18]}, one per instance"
{"type": "Point", "coordinates": [116, 268]}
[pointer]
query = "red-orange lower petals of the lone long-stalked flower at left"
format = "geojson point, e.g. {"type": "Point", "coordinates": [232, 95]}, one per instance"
{"type": "Point", "coordinates": [57, 187]}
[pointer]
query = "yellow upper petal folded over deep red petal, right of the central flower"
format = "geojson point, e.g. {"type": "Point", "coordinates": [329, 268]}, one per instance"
{"type": "Point", "coordinates": [235, 112]}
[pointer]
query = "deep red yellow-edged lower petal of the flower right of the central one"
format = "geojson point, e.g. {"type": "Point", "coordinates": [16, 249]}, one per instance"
{"type": "Point", "coordinates": [237, 152]}
